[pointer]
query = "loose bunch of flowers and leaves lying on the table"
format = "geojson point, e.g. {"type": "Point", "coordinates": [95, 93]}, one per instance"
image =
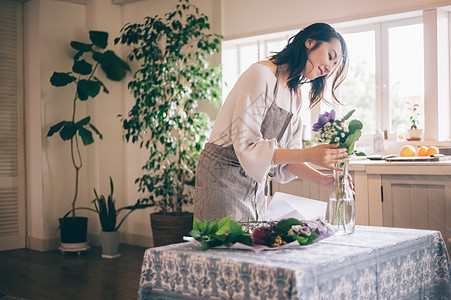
{"type": "Point", "coordinates": [259, 235]}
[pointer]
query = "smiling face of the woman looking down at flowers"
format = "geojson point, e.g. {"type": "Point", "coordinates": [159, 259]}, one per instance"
{"type": "Point", "coordinates": [321, 60]}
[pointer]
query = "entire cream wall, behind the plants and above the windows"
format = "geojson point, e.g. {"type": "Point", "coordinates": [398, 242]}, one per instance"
{"type": "Point", "coordinates": [50, 25]}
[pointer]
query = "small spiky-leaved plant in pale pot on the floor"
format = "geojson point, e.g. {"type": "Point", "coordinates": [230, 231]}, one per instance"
{"type": "Point", "coordinates": [108, 214]}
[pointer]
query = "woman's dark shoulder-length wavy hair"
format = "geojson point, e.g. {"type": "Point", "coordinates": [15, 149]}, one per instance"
{"type": "Point", "coordinates": [295, 56]}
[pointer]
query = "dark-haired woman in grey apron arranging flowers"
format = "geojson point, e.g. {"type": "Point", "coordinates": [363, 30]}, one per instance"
{"type": "Point", "coordinates": [258, 129]}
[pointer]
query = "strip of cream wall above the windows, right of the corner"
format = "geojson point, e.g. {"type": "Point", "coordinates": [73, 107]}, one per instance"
{"type": "Point", "coordinates": [251, 17]}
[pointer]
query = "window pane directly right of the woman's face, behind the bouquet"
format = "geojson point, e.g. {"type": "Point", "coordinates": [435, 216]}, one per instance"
{"type": "Point", "coordinates": [359, 88]}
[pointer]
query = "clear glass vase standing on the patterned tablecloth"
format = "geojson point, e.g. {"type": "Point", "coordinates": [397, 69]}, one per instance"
{"type": "Point", "coordinates": [341, 203]}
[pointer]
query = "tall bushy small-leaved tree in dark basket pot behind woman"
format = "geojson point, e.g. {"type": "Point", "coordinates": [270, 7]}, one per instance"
{"type": "Point", "coordinates": [174, 75]}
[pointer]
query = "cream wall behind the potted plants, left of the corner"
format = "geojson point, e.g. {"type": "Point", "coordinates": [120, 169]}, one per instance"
{"type": "Point", "coordinates": [50, 26]}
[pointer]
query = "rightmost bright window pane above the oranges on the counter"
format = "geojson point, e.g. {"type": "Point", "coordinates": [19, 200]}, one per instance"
{"type": "Point", "coordinates": [406, 74]}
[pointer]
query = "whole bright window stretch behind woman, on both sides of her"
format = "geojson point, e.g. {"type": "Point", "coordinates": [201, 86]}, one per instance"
{"type": "Point", "coordinates": [386, 70]}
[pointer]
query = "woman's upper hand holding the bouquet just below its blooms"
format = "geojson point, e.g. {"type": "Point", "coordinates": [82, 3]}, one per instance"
{"type": "Point", "coordinates": [326, 155]}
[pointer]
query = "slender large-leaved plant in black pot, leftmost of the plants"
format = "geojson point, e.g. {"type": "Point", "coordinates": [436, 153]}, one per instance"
{"type": "Point", "coordinates": [87, 59]}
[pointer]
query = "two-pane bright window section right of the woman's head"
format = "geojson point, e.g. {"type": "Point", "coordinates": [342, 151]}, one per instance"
{"type": "Point", "coordinates": [386, 72]}
